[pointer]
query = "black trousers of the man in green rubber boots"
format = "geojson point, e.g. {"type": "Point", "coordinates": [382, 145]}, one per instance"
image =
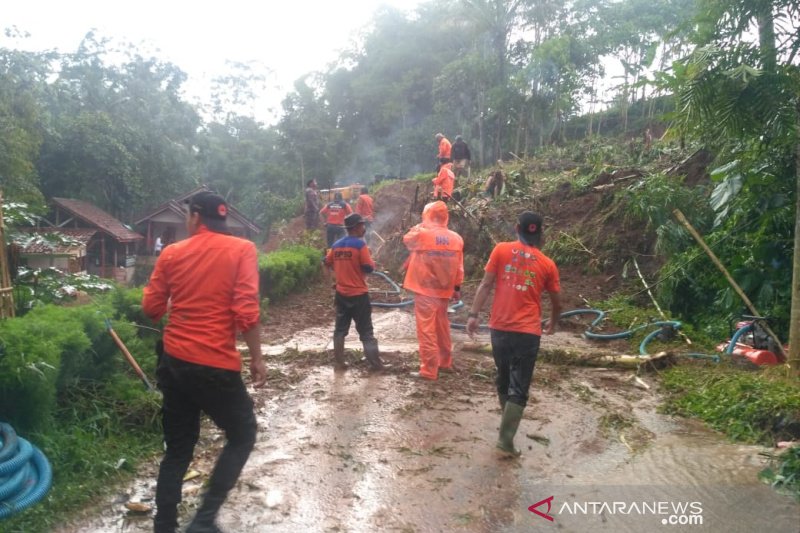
{"type": "Point", "coordinates": [515, 358]}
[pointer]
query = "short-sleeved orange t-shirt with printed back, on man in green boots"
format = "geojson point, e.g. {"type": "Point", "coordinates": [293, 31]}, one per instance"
{"type": "Point", "coordinates": [522, 273]}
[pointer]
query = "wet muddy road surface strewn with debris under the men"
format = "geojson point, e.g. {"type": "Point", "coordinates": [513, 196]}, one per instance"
{"type": "Point", "coordinates": [361, 452]}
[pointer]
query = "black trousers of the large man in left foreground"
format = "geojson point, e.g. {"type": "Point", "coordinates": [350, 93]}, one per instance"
{"type": "Point", "coordinates": [189, 389]}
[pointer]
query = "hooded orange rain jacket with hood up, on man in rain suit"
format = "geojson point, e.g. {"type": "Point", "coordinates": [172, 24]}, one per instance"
{"type": "Point", "coordinates": [436, 263]}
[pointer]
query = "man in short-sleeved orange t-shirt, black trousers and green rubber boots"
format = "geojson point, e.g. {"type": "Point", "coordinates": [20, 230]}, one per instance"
{"type": "Point", "coordinates": [519, 273]}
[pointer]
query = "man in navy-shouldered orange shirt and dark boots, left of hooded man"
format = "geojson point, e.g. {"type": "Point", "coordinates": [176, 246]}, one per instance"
{"type": "Point", "coordinates": [350, 262]}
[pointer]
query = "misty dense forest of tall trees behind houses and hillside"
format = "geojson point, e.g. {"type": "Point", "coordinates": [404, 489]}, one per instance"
{"type": "Point", "coordinates": [109, 125]}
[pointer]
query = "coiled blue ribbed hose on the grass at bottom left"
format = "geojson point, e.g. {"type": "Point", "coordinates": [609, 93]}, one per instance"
{"type": "Point", "coordinates": [25, 474]}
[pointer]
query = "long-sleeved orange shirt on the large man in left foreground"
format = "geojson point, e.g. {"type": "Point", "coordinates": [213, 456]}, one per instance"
{"type": "Point", "coordinates": [212, 282]}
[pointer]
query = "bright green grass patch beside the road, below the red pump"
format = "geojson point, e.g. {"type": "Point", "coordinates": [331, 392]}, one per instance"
{"type": "Point", "coordinates": [747, 406]}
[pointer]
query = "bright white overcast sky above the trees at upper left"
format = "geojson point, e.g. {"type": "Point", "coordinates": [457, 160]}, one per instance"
{"type": "Point", "coordinates": [287, 38]}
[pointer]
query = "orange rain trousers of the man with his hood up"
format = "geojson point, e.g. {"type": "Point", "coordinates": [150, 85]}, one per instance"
{"type": "Point", "coordinates": [433, 333]}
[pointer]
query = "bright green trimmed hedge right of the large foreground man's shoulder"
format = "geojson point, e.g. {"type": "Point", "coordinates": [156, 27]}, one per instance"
{"type": "Point", "coordinates": [287, 269]}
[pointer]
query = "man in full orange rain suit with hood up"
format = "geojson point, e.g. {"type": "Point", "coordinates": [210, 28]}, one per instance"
{"type": "Point", "coordinates": [435, 272]}
